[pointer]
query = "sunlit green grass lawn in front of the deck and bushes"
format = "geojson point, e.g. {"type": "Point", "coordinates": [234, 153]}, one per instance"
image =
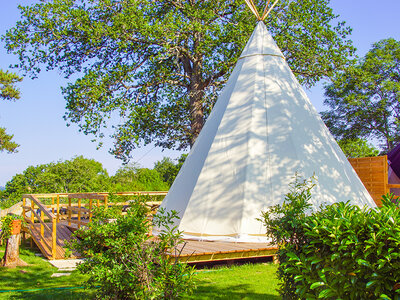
{"type": "Point", "coordinates": [35, 282]}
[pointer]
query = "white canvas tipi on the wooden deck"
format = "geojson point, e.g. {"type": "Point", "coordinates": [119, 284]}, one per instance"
{"type": "Point", "coordinates": [261, 131]}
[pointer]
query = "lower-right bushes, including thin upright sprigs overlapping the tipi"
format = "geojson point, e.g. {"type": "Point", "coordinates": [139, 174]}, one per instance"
{"type": "Point", "coordinates": [341, 251]}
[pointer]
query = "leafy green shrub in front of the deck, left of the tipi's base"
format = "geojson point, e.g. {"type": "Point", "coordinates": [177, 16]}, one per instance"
{"type": "Point", "coordinates": [124, 262]}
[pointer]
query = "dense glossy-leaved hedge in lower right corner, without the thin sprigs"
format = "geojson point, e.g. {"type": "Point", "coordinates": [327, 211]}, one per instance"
{"type": "Point", "coordinates": [352, 254]}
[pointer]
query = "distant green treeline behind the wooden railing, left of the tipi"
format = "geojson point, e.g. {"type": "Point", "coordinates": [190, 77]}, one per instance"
{"type": "Point", "coordinates": [87, 175]}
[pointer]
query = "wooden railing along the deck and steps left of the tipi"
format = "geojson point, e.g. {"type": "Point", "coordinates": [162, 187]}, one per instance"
{"type": "Point", "coordinates": [77, 209]}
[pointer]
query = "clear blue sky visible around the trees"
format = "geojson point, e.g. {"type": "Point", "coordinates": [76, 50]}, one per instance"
{"type": "Point", "coordinates": [36, 119]}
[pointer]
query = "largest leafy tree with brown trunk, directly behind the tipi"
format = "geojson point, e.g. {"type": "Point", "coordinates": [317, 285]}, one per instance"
{"type": "Point", "coordinates": [153, 69]}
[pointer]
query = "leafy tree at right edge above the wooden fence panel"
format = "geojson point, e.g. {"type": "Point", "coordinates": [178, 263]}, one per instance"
{"type": "Point", "coordinates": [364, 100]}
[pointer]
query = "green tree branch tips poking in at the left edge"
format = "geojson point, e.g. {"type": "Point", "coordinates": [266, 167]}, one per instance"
{"type": "Point", "coordinates": [8, 91]}
